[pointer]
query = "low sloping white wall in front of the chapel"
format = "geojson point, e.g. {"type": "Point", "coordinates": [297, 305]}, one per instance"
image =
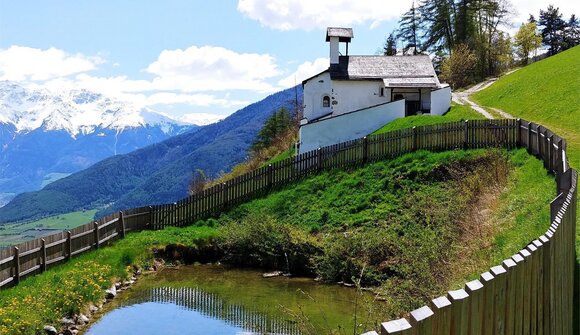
{"type": "Point", "coordinates": [348, 126]}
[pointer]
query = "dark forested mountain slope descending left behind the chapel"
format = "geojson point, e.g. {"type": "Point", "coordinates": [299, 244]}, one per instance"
{"type": "Point", "coordinates": [158, 173]}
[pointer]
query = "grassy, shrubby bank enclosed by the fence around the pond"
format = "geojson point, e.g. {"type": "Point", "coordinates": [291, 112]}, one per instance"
{"type": "Point", "coordinates": [402, 225]}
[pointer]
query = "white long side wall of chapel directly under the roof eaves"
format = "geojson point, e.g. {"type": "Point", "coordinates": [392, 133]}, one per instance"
{"type": "Point", "coordinates": [351, 95]}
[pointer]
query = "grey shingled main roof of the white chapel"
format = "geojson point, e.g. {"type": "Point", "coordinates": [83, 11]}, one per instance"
{"type": "Point", "coordinates": [395, 71]}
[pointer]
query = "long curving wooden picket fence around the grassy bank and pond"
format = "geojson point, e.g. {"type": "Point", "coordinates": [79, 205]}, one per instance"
{"type": "Point", "coordinates": [543, 298]}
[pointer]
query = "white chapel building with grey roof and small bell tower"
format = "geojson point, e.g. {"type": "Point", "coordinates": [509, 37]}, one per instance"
{"type": "Point", "coordinates": [357, 95]}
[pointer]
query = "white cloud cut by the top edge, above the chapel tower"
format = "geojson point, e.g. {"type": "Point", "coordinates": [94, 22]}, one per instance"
{"type": "Point", "coordinates": [309, 14]}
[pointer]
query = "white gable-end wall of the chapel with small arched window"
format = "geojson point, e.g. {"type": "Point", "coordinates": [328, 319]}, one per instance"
{"type": "Point", "coordinates": [314, 90]}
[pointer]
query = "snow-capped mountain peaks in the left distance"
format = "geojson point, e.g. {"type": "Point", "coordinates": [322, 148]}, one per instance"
{"type": "Point", "coordinates": [76, 112]}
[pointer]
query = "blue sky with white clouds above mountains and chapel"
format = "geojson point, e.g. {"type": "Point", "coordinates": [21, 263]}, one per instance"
{"type": "Point", "coordinates": [195, 60]}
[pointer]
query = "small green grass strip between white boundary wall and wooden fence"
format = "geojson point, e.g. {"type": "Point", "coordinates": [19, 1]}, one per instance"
{"type": "Point", "coordinates": [456, 113]}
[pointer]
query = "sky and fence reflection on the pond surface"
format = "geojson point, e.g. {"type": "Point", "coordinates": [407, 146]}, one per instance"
{"type": "Point", "coordinates": [169, 310]}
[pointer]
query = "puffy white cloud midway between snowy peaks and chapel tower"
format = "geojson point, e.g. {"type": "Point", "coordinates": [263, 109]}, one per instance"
{"type": "Point", "coordinates": [210, 68]}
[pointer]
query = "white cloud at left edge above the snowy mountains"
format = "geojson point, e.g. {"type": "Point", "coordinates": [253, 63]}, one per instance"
{"type": "Point", "coordinates": [23, 63]}
